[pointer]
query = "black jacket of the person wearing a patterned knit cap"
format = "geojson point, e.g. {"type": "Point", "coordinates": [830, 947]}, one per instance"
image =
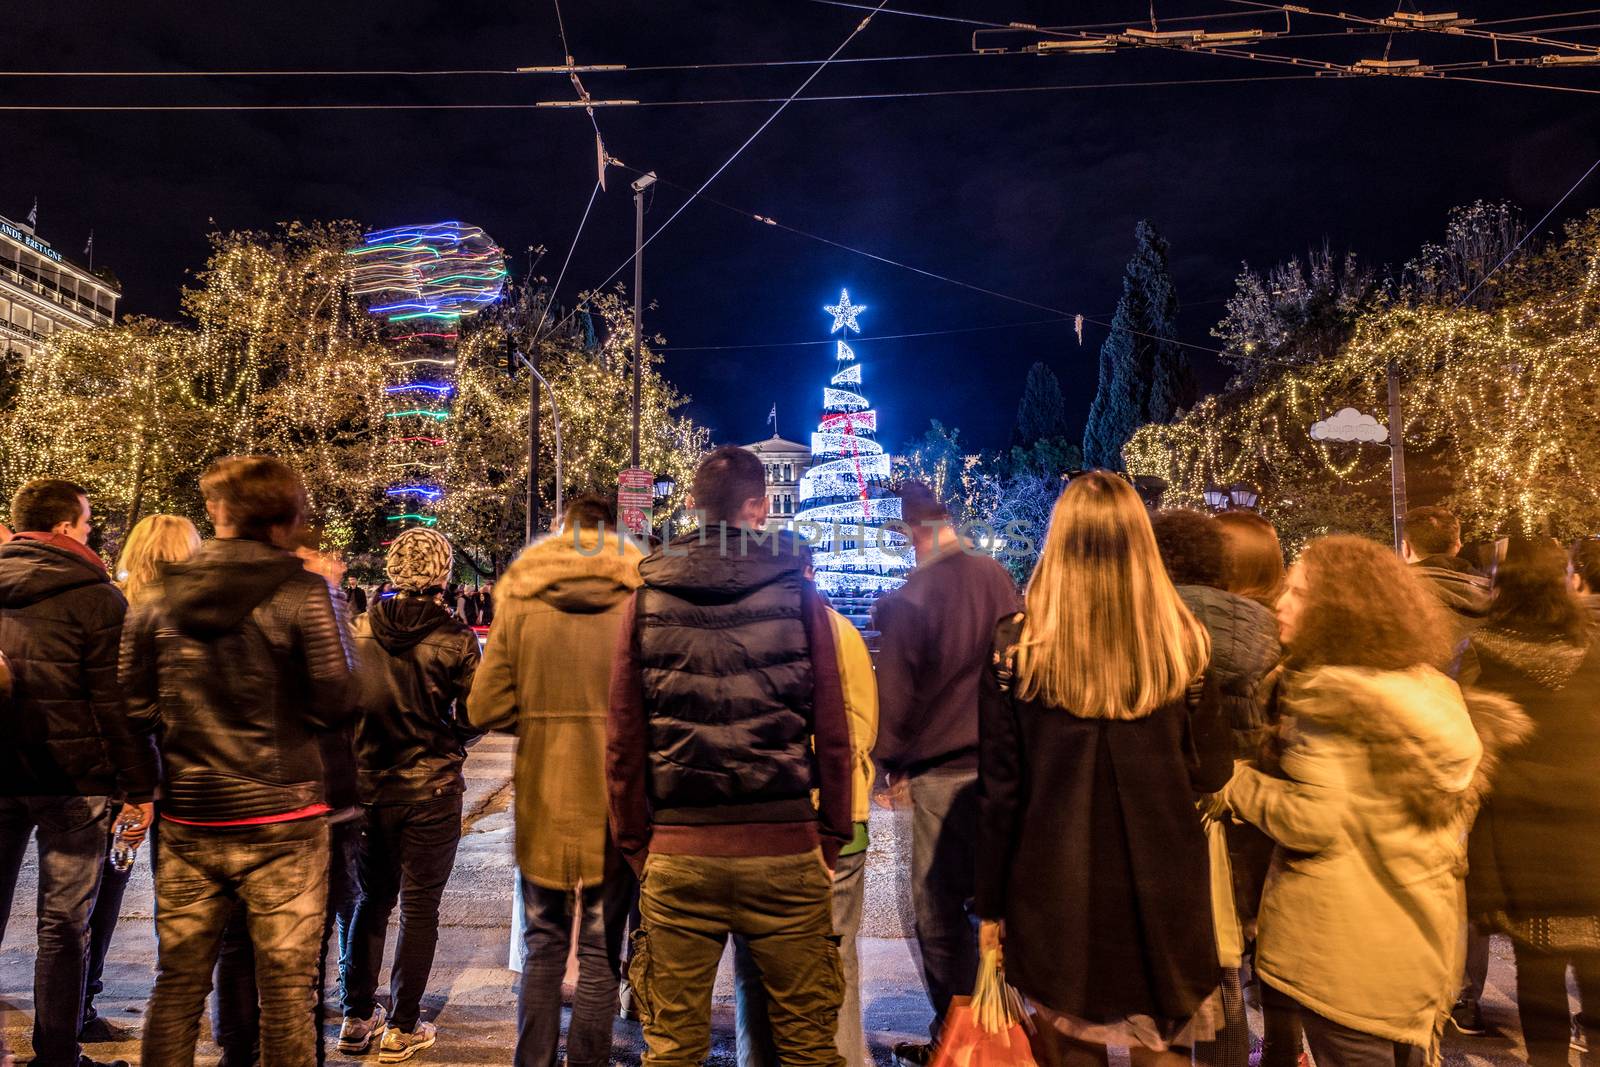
{"type": "Point", "coordinates": [417, 665]}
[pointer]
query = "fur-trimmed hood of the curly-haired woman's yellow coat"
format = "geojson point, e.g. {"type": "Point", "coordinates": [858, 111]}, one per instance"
{"type": "Point", "coordinates": [1430, 743]}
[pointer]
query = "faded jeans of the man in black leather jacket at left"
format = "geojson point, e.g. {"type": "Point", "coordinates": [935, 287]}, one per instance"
{"type": "Point", "coordinates": [281, 877]}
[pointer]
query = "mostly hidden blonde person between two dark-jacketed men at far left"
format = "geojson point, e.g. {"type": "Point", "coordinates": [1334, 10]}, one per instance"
{"type": "Point", "coordinates": [154, 540]}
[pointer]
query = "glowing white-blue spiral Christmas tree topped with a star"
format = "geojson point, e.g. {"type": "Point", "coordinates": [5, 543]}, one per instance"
{"type": "Point", "coordinates": [846, 497]}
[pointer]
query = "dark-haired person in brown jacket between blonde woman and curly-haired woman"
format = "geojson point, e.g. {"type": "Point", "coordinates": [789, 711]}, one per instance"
{"type": "Point", "coordinates": [1244, 653]}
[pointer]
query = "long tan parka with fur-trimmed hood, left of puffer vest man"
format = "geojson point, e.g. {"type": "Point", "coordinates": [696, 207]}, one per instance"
{"type": "Point", "coordinates": [546, 674]}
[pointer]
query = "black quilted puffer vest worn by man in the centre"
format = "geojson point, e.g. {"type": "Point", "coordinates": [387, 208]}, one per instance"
{"type": "Point", "coordinates": [727, 682]}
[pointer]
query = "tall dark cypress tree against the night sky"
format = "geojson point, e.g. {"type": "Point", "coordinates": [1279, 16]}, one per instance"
{"type": "Point", "coordinates": [1143, 375]}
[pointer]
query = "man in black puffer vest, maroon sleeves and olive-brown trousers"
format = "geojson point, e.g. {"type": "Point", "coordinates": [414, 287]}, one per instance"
{"type": "Point", "coordinates": [726, 716]}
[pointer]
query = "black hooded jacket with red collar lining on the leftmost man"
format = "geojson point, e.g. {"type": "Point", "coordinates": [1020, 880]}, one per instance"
{"type": "Point", "coordinates": [66, 729]}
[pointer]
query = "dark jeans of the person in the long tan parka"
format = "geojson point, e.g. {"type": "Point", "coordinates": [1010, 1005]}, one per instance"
{"type": "Point", "coordinates": [548, 938]}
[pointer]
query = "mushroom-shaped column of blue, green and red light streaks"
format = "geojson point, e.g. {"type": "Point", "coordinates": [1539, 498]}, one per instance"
{"type": "Point", "coordinates": [423, 281]}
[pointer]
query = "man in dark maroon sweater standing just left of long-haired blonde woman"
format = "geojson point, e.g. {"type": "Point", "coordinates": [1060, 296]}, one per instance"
{"type": "Point", "coordinates": [938, 634]}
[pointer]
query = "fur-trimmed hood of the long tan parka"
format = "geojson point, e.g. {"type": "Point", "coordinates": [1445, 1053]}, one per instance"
{"type": "Point", "coordinates": [574, 572]}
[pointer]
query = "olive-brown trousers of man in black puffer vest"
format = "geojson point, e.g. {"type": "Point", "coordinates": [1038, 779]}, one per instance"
{"type": "Point", "coordinates": [780, 905]}
